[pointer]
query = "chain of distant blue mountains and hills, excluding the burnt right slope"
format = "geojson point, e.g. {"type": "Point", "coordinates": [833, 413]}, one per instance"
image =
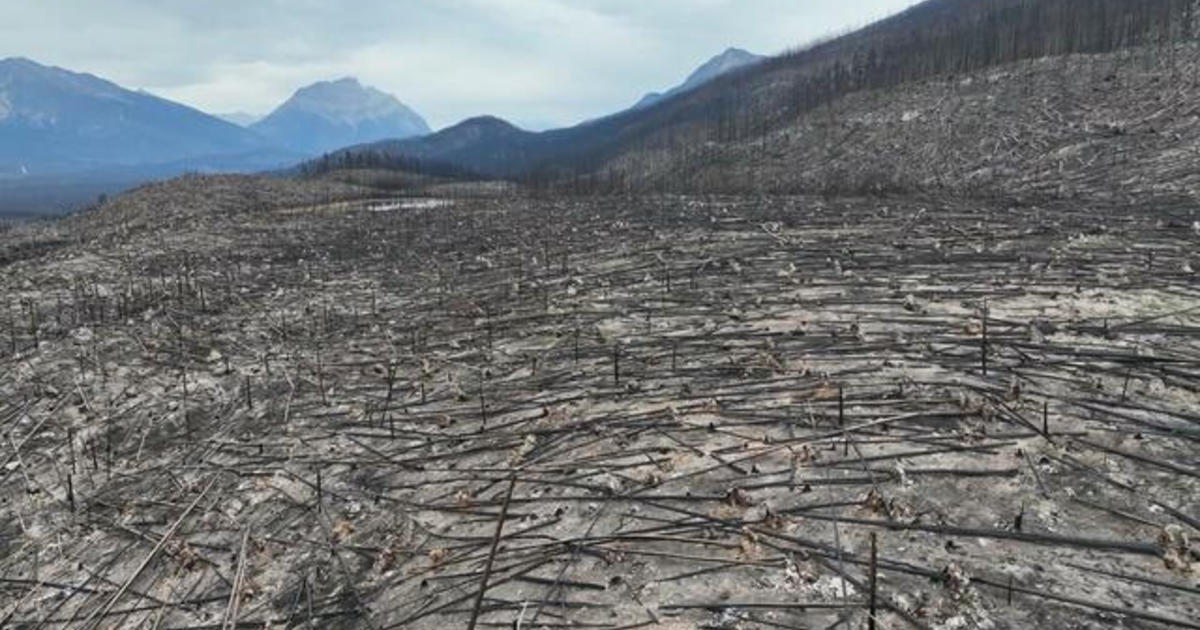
{"type": "Point", "coordinates": [70, 136]}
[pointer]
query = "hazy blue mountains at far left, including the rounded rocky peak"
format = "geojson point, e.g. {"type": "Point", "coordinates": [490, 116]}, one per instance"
{"type": "Point", "coordinates": [67, 137]}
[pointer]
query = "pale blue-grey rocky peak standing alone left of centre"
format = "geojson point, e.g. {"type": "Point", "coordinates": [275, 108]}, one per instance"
{"type": "Point", "coordinates": [333, 115]}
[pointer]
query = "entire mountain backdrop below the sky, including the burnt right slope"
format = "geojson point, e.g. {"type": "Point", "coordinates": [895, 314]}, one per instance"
{"type": "Point", "coordinates": [883, 109]}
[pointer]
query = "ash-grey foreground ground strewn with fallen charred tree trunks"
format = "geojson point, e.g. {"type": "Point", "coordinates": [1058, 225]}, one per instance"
{"type": "Point", "coordinates": [243, 404]}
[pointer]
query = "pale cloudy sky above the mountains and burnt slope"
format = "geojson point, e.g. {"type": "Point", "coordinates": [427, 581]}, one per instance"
{"type": "Point", "coordinates": [539, 64]}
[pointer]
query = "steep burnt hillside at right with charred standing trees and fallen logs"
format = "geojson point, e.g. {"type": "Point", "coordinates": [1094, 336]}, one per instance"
{"type": "Point", "coordinates": [1011, 97]}
